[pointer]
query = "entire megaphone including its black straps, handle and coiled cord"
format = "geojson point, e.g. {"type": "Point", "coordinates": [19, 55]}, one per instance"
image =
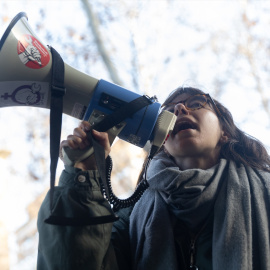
{"type": "Point", "coordinates": [26, 74]}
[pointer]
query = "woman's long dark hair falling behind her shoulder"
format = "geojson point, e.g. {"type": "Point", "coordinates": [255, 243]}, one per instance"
{"type": "Point", "coordinates": [240, 147]}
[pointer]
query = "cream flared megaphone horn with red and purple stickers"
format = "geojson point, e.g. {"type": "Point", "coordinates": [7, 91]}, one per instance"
{"type": "Point", "coordinates": [25, 65]}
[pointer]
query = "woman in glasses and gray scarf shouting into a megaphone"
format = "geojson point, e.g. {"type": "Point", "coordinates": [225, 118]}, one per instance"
{"type": "Point", "coordinates": [207, 205]}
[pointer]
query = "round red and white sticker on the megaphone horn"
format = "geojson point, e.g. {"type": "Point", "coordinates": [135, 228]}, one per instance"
{"type": "Point", "coordinates": [32, 53]}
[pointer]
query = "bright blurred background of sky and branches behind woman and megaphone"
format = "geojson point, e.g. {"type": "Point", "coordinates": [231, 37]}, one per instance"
{"type": "Point", "coordinates": [149, 47]}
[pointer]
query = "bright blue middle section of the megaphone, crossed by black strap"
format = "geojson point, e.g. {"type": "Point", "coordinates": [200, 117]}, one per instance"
{"type": "Point", "coordinates": [108, 97]}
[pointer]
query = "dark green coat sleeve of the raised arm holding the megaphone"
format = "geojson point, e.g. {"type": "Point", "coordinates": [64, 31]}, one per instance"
{"type": "Point", "coordinates": [79, 247]}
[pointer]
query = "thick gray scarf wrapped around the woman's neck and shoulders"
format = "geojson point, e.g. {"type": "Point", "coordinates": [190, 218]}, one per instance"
{"type": "Point", "coordinates": [238, 196]}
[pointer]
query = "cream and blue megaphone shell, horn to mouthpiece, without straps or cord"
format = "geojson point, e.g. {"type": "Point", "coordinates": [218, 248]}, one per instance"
{"type": "Point", "coordinates": [25, 73]}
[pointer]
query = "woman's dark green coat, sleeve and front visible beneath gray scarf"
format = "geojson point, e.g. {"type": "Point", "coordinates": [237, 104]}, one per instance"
{"type": "Point", "coordinates": [104, 246]}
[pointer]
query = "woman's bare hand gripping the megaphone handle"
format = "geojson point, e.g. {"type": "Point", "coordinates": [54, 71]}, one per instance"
{"type": "Point", "coordinates": [79, 141]}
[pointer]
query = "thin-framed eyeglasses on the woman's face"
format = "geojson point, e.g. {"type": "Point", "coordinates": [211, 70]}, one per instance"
{"type": "Point", "coordinates": [193, 103]}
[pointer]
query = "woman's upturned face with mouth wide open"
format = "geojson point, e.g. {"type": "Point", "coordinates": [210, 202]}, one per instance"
{"type": "Point", "coordinates": [196, 133]}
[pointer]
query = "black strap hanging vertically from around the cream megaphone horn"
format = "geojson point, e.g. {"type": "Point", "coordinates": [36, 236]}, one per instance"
{"type": "Point", "coordinates": [58, 90]}
